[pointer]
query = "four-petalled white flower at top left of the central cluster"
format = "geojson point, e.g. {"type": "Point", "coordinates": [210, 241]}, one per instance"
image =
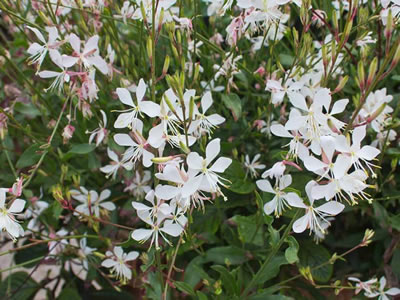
{"type": "Point", "coordinates": [128, 117]}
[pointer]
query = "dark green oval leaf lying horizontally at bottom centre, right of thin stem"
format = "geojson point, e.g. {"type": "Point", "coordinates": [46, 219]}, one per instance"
{"type": "Point", "coordinates": [226, 255]}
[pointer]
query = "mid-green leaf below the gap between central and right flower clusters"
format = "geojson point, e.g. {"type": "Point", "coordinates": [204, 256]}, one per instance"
{"type": "Point", "coordinates": [248, 230]}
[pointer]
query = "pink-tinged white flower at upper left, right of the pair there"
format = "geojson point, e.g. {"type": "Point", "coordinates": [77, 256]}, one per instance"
{"type": "Point", "coordinates": [90, 54]}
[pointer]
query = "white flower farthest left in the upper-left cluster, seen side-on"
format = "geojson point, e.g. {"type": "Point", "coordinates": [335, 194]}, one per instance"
{"type": "Point", "coordinates": [38, 52]}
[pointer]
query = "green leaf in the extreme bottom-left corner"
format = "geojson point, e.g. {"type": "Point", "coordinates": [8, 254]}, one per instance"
{"type": "Point", "coordinates": [17, 286]}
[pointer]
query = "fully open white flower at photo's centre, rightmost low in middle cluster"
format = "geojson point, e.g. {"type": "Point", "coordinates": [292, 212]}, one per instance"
{"type": "Point", "coordinates": [206, 178]}
